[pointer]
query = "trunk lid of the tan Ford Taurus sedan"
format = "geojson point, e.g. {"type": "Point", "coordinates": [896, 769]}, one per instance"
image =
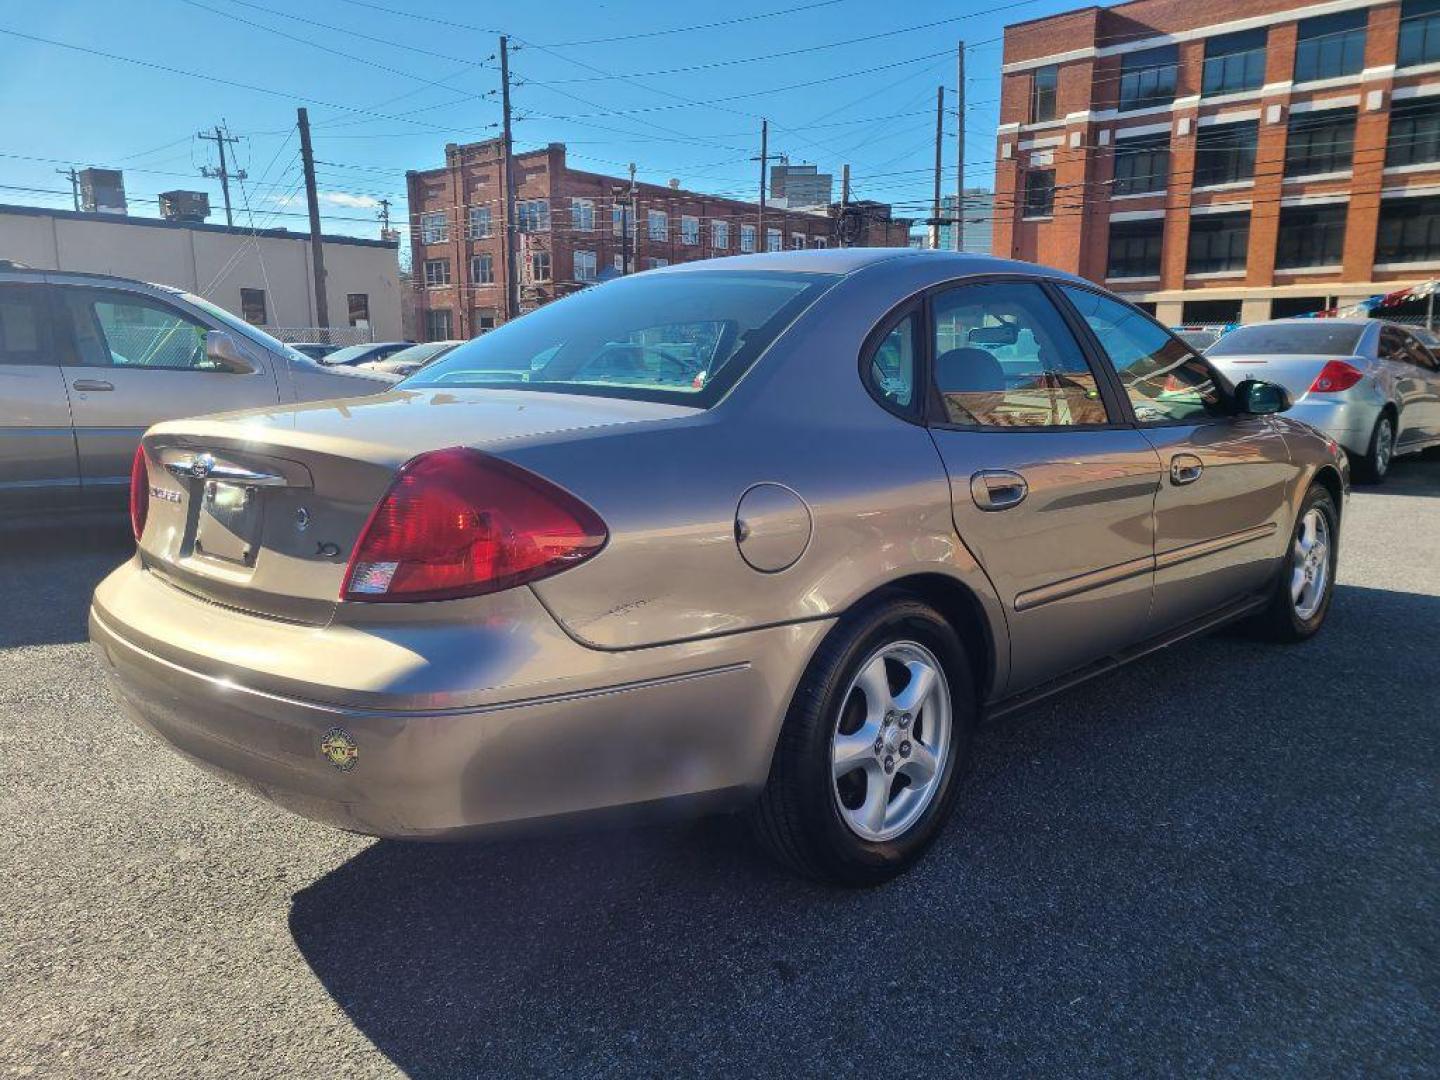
{"type": "Point", "coordinates": [260, 510]}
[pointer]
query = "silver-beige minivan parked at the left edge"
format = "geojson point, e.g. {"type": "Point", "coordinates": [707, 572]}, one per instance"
{"type": "Point", "coordinates": [89, 362]}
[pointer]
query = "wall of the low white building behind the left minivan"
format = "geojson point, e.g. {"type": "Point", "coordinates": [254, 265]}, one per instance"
{"type": "Point", "coordinates": [215, 264]}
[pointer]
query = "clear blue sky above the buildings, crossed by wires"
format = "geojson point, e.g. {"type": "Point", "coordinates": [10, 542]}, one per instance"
{"type": "Point", "coordinates": [390, 83]}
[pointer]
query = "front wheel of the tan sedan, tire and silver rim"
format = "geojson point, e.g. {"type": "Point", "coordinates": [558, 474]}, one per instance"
{"type": "Point", "coordinates": [1307, 582]}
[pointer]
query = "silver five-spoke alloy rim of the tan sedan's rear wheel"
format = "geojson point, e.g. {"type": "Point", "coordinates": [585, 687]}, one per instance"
{"type": "Point", "coordinates": [892, 741]}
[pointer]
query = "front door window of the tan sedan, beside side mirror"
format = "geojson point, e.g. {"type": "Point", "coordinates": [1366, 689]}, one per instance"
{"type": "Point", "coordinates": [1163, 378]}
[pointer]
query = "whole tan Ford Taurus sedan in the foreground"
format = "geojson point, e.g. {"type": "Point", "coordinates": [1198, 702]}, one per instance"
{"type": "Point", "coordinates": [770, 534]}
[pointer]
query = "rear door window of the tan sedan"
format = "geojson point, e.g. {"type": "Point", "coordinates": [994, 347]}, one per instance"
{"type": "Point", "coordinates": [1004, 358]}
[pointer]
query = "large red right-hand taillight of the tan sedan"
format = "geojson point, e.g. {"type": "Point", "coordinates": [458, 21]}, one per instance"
{"type": "Point", "coordinates": [462, 523]}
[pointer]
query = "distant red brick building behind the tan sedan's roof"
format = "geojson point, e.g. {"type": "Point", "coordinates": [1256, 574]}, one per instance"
{"type": "Point", "coordinates": [571, 231]}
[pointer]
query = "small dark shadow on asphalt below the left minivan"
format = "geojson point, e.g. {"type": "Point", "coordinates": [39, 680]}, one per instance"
{"type": "Point", "coordinates": [48, 571]}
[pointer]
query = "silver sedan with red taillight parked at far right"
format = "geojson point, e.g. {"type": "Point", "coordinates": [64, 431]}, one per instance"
{"type": "Point", "coordinates": [1372, 385]}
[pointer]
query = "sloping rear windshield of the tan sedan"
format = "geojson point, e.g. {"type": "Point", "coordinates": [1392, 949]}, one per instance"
{"type": "Point", "coordinates": [669, 338]}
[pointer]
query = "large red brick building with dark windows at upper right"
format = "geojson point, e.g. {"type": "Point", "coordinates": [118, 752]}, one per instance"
{"type": "Point", "coordinates": [1239, 159]}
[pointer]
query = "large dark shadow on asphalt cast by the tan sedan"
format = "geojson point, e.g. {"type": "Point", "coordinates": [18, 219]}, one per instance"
{"type": "Point", "coordinates": [1154, 847]}
